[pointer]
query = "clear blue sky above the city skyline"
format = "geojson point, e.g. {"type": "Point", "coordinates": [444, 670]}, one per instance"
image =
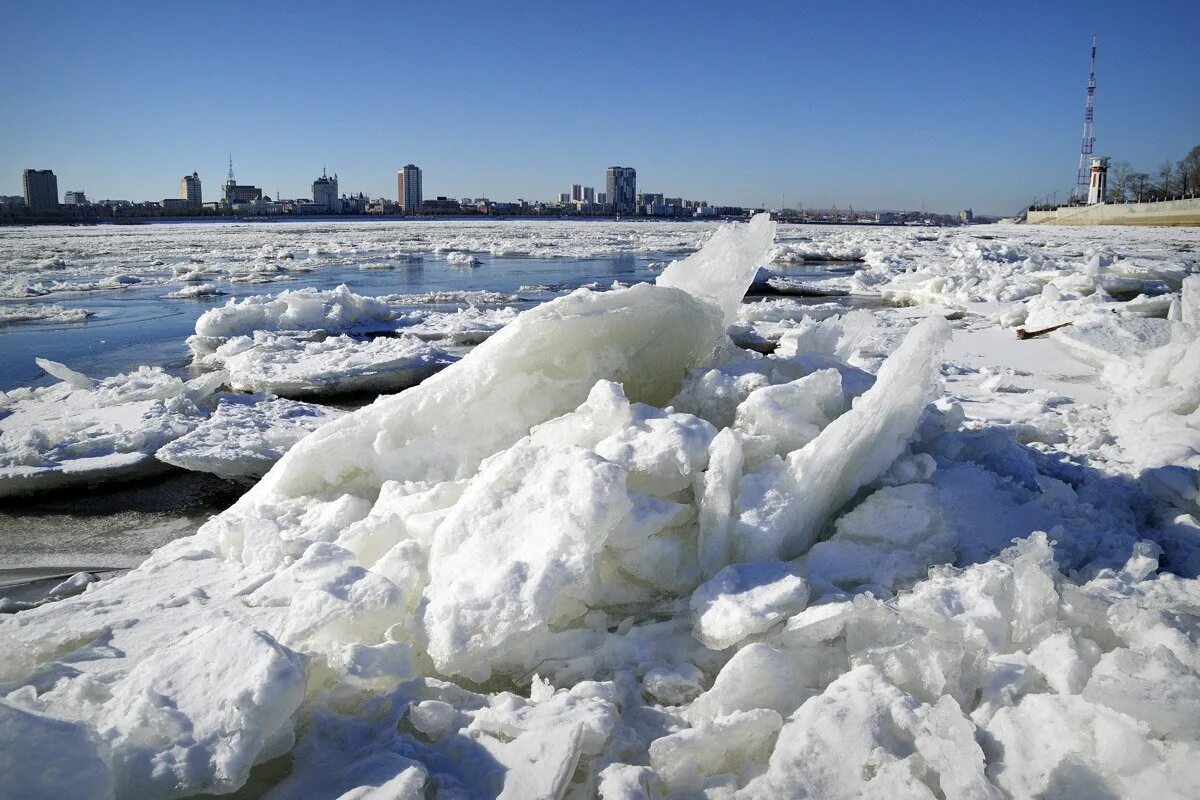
{"type": "Point", "coordinates": [878, 105]}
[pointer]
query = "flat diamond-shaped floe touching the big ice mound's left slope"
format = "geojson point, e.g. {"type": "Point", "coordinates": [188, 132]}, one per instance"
{"type": "Point", "coordinates": [245, 436]}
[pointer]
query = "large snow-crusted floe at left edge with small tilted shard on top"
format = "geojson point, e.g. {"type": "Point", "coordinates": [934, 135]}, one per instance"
{"type": "Point", "coordinates": [81, 430]}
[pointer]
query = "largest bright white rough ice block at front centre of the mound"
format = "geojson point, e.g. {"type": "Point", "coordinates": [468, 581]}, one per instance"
{"type": "Point", "coordinates": [494, 593]}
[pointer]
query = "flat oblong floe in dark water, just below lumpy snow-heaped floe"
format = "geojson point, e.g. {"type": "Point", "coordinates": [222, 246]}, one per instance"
{"type": "Point", "coordinates": [295, 368]}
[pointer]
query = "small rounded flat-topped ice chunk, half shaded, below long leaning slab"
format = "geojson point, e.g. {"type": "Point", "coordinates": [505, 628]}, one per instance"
{"type": "Point", "coordinates": [743, 600]}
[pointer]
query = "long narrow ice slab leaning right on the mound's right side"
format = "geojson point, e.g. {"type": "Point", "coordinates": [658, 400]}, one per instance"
{"type": "Point", "coordinates": [781, 514]}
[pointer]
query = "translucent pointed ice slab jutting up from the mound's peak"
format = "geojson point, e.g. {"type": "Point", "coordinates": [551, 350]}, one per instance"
{"type": "Point", "coordinates": [723, 270]}
